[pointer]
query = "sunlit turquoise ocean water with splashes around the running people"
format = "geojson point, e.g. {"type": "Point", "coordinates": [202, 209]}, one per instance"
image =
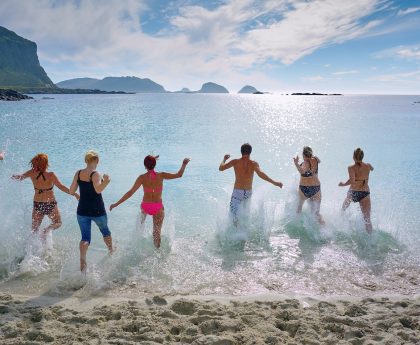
{"type": "Point", "coordinates": [284, 253]}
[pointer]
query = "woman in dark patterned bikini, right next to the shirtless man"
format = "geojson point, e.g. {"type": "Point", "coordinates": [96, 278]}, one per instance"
{"type": "Point", "coordinates": [309, 185]}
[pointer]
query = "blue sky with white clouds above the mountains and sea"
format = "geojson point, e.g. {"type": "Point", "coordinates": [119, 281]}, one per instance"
{"type": "Point", "coordinates": [348, 46]}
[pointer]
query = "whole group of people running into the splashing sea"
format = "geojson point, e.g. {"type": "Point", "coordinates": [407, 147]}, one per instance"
{"type": "Point", "coordinates": [91, 184]}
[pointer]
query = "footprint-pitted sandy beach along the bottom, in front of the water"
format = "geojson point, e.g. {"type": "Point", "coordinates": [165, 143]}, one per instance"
{"type": "Point", "coordinates": [205, 320]}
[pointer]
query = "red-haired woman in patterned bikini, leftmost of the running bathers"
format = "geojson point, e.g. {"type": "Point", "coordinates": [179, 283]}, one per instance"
{"type": "Point", "coordinates": [44, 199]}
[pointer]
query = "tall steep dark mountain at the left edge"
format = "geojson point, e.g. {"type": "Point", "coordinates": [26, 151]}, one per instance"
{"type": "Point", "coordinates": [19, 64]}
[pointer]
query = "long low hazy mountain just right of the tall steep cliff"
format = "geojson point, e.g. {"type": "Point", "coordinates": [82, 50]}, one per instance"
{"type": "Point", "coordinates": [126, 84]}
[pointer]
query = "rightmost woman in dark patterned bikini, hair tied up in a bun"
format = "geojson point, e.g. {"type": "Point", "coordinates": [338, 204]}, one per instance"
{"type": "Point", "coordinates": [359, 187]}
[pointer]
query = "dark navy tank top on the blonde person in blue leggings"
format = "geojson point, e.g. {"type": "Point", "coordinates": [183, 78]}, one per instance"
{"type": "Point", "coordinates": [91, 203]}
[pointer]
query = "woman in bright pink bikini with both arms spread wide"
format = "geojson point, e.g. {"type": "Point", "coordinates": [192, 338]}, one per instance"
{"type": "Point", "coordinates": [152, 199]}
